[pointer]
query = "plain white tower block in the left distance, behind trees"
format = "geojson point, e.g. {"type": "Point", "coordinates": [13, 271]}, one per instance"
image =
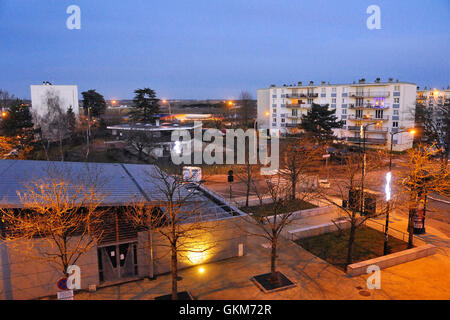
{"type": "Point", "coordinates": [67, 94]}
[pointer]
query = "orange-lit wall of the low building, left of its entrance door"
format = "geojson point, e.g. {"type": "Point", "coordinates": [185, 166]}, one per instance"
{"type": "Point", "coordinates": [25, 277]}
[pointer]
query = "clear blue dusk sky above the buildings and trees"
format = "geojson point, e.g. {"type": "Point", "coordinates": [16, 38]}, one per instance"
{"type": "Point", "coordinates": [208, 49]}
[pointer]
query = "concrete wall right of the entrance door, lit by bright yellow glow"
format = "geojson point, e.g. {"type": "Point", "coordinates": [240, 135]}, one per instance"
{"type": "Point", "coordinates": [219, 240]}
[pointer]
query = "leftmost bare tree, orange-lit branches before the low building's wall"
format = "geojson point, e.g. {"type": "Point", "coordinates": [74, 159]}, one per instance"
{"type": "Point", "coordinates": [63, 211]}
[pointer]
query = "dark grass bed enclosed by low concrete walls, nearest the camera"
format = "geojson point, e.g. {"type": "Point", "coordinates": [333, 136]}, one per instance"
{"type": "Point", "coordinates": [332, 247]}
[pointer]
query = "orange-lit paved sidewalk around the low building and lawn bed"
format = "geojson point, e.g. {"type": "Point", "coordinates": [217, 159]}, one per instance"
{"type": "Point", "coordinates": [426, 278]}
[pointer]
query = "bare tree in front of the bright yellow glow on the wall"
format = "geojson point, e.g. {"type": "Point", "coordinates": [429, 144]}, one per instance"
{"type": "Point", "coordinates": [179, 216]}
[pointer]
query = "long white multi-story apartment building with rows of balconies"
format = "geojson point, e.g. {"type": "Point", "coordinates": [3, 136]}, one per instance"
{"type": "Point", "coordinates": [387, 106]}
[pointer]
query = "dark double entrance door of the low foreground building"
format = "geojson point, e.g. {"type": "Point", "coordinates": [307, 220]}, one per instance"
{"type": "Point", "coordinates": [117, 261]}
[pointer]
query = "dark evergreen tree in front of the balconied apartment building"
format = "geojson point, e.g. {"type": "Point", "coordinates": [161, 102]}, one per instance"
{"type": "Point", "coordinates": [319, 121]}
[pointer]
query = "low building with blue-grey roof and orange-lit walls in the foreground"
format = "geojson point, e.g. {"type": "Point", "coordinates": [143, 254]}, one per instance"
{"type": "Point", "coordinates": [123, 251]}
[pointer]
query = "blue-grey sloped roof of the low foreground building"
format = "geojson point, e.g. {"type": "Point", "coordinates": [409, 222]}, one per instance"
{"type": "Point", "coordinates": [120, 183]}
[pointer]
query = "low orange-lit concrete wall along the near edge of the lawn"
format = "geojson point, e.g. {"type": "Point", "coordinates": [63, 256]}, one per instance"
{"type": "Point", "coordinates": [392, 259]}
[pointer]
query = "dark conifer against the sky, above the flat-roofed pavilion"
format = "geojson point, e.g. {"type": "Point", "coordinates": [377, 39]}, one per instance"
{"type": "Point", "coordinates": [145, 105]}
